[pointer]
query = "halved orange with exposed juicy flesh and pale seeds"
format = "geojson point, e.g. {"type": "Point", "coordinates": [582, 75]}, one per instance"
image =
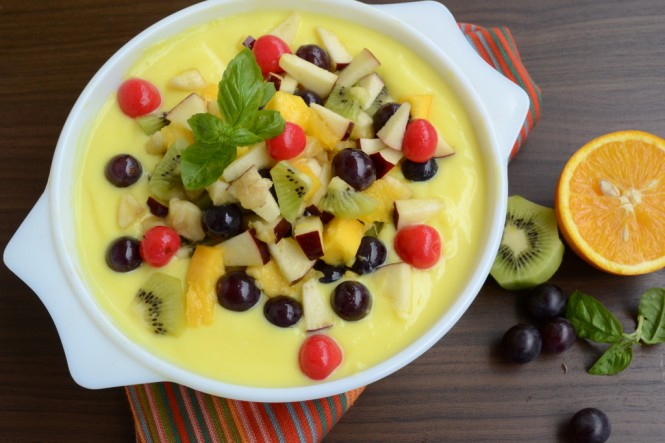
{"type": "Point", "coordinates": [610, 202]}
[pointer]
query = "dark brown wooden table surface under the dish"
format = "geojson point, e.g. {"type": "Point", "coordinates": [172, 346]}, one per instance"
{"type": "Point", "coordinates": [601, 67]}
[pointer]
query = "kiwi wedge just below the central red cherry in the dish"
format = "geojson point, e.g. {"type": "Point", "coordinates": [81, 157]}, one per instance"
{"type": "Point", "coordinates": [291, 186]}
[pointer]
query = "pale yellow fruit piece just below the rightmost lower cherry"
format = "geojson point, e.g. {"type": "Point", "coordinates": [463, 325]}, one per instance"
{"type": "Point", "coordinates": [394, 282]}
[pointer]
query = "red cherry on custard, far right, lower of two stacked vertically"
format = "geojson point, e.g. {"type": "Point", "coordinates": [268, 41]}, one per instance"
{"type": "Point", "coordinates": [418, 245]}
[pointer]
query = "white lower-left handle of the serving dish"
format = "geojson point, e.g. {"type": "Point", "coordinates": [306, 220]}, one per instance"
{"type": "Point", "coordinates": [94, 360]}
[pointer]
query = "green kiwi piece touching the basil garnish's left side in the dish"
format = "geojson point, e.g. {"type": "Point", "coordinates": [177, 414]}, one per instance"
{"type": "Point", "coordinates": [165, 180]}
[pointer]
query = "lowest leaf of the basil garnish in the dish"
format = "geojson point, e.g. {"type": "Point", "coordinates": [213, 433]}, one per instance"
{"type": "Point", "coordinates": [201, 164]}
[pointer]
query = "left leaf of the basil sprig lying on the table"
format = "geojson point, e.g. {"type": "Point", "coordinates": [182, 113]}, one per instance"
{"type": "Point", "coordinates": [592, 320]}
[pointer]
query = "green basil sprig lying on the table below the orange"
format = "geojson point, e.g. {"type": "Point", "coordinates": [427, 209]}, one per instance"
{"type": "Point", "coordinates": [592, 321]}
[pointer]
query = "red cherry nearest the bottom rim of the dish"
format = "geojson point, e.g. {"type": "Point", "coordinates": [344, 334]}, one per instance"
{"type": "Point", "coordinates": [319, 356]}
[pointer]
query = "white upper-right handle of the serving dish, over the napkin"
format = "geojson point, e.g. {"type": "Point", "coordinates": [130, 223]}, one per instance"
{"type": "Point", "coordinates": [505, 102]}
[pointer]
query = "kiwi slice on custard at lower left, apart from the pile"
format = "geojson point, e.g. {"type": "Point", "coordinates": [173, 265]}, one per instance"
{"type": "Point", "coordinates": [160, 304]}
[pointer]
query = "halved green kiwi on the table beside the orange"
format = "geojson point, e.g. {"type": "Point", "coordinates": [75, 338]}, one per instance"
{"type": "Point", "coordinates": [531, 250]}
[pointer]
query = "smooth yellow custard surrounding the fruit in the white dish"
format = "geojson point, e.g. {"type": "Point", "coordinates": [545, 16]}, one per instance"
{"type": "Point", "coordinates": [244, 348]}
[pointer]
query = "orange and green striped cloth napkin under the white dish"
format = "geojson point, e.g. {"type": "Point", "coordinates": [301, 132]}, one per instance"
{"type": "Point", "coordinates": [168, 412]}
